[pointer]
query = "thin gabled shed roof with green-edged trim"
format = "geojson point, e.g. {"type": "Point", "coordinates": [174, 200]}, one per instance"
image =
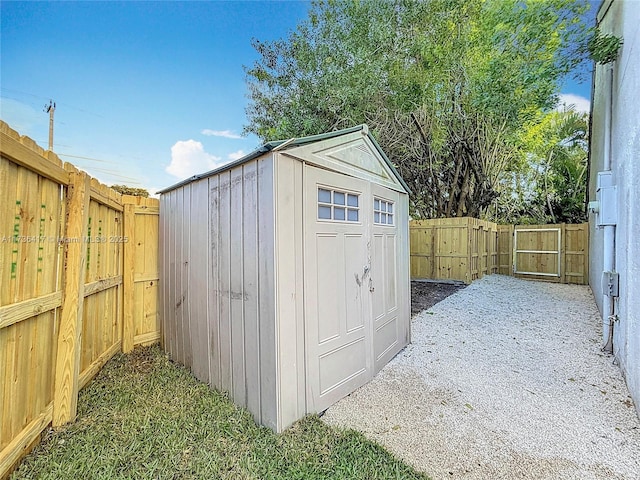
{"type": "Point", "coordinates": [288, 144]}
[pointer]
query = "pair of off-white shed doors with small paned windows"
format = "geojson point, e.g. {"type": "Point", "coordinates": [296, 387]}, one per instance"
{"type": "Point", "coordinates": [351, 283]}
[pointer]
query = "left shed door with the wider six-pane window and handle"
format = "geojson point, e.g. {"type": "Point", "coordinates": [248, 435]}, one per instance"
{"type": "Point", "coordinates": [337, 298]}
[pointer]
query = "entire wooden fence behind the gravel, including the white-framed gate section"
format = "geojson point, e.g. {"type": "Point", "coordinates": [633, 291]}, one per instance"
{"type": "Point", "coordinates": [466, 249]}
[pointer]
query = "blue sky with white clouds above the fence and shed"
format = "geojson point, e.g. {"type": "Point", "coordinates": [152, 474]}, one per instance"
{"type": "Point", "coordinates": [147, 93]}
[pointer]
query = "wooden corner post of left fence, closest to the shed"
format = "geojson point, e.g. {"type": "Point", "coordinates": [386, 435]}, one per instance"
{"type": "Point", "coordinates": [128, 325]}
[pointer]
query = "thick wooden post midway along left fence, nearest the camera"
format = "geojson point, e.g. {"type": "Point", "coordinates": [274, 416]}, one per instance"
{"type": "Point", "coordinates": [65, 395]}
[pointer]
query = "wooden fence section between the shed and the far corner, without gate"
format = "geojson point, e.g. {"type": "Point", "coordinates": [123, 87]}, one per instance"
{"type": "Point", "coordinates": [462, 249]}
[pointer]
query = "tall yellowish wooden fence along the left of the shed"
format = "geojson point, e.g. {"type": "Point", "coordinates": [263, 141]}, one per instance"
{"type": "Point", "coordinates": [78, 283]}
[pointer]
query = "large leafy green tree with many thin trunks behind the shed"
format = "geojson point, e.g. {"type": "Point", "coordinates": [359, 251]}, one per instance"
{"type": "Point", "coordinates": [445, 85]}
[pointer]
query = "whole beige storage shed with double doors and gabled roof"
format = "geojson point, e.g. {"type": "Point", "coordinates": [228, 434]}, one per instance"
{"type": "Point", "coordinates": [285, 274]}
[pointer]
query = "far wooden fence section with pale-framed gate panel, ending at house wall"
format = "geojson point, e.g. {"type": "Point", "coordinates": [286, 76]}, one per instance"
{"type": "Point", "coordinates": [553, 253]}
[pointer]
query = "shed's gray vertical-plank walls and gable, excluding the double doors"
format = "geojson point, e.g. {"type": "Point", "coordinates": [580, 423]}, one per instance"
{"type": "Point", "coordinates": [233, 276]}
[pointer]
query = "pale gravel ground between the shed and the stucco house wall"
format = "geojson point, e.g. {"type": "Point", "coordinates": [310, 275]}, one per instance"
{"type": "Point", "coordinates": [503, 380]}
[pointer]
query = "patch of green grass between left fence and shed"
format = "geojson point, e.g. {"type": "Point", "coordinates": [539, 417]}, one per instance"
{"type": "Point", "coordinates": [144, 417]}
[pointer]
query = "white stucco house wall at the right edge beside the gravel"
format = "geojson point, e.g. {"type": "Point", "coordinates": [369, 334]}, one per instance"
{"type": "Point", "coordinates": [622, 18]}
